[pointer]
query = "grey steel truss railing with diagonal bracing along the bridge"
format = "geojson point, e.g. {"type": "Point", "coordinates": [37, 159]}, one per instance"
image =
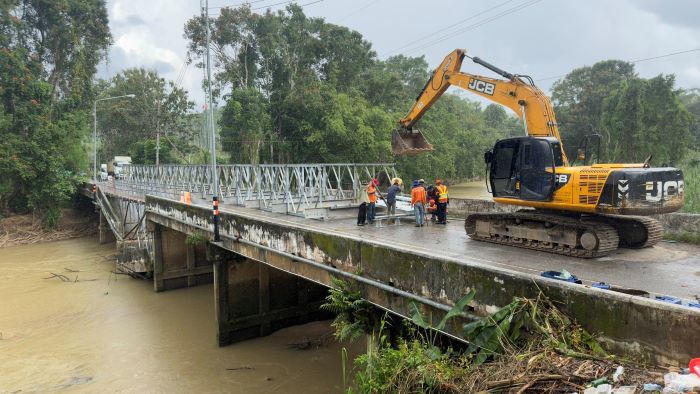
{"type": "Point", "coordinates": [298, 186]}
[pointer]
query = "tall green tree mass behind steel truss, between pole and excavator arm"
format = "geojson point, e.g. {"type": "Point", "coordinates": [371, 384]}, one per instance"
{"type": "Point", "coordinates": [303, 90]}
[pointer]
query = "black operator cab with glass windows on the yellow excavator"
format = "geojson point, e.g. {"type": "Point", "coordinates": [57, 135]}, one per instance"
{"type": "Point", "coordinates": [523, 168]}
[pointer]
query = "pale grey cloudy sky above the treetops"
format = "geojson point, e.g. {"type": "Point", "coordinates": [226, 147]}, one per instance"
{"type": "Point", "coordinates": [541, 38]}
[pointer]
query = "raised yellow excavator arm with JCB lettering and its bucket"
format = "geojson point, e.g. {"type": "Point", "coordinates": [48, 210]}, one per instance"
{"type": "Point", "coordinates": [518, 93]}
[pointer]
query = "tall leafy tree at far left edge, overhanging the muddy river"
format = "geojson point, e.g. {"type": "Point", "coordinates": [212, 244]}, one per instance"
{"type": "Point", "coordinates": [49, 51]}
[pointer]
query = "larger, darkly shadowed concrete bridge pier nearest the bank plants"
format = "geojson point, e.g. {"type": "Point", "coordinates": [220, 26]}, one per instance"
{"type": "Point", "coordinates": [253, 299]}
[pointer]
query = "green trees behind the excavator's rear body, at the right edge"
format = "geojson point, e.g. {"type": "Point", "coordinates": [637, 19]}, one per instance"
{"type": "Point", "coordinates": [637, 117]}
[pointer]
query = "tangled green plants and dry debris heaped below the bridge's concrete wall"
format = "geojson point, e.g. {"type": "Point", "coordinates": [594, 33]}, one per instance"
{"type": "Point", "coordinates": [526, 346]}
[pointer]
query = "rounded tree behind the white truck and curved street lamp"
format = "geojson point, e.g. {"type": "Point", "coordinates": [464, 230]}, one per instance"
{"type": "Point", "coordinates": [158, 105]}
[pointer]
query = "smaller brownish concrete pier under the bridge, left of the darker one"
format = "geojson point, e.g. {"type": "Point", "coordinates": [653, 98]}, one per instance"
{"type": "Point", "coordinates": [176, 262]}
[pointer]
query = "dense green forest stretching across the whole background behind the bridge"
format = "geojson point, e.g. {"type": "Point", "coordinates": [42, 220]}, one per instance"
{"type": "Point", "coordinates": [288, 88]}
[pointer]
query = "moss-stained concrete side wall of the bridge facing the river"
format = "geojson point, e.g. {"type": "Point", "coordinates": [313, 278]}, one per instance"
{"type": "Point", "coordinates": [392, 278]}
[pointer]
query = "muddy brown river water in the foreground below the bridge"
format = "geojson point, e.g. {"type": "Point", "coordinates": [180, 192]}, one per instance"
{"type": "Point", "coordinates": [109, 333]}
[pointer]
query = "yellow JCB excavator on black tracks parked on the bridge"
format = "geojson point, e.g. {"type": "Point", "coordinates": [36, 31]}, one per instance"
{"type": "Point", "coordinates": [583, 211]}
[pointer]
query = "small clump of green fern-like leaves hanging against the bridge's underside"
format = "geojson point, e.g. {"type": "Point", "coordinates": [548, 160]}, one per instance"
{"type": "Point", "coordinates": [355, 316]}
